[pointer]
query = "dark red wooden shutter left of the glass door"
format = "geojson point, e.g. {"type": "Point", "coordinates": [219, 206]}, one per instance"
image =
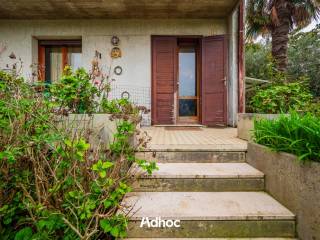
{"type": "Point", "coordinates": [164, 61]}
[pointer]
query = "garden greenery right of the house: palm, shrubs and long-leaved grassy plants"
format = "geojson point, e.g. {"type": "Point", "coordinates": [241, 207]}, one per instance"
{"type": "Point", "coordinates": [287, 106]}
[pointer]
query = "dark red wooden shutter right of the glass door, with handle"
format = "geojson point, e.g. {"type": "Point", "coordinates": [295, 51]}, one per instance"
{"type": "Point", "coordinates": [214, 81]}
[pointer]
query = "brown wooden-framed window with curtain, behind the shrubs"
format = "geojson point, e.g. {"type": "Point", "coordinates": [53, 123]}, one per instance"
{"type": "Point", "coordinates": [54, 55]}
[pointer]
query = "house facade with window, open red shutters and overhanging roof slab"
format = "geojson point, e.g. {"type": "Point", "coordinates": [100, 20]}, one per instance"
{"type": "Point", "coordinates": [182, 59]}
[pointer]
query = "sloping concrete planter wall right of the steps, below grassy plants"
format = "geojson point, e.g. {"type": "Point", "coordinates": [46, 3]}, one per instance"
{"type": "Point", "coordinates": [295, 185]}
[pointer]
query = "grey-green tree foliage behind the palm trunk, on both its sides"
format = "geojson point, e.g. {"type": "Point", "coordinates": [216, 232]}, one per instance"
{"type": "Point", "coordinates": [303, 60]}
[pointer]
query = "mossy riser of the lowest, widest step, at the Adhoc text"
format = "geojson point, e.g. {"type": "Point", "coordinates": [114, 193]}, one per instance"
{"type": "Point", "coordinates": [206, 229]}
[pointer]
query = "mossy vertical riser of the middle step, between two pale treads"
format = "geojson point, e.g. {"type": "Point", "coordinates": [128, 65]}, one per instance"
{"type": "Point", "coordinates": [198, 185]}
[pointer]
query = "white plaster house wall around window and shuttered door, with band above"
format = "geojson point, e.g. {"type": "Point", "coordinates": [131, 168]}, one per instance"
{"type": "Point", "coordinates": [20, 37]}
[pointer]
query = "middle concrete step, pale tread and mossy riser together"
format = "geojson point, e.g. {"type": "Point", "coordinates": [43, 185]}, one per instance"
{"type": "Point", "coordinates": [201, 177]}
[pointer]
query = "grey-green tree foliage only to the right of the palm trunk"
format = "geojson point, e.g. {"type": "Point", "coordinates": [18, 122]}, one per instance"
{"type": "Point", "coordinates": [303, 56]}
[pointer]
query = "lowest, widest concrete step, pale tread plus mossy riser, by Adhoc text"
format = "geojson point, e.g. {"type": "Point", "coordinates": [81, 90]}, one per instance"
{"type": "Point", "coordinates": [209, 214]}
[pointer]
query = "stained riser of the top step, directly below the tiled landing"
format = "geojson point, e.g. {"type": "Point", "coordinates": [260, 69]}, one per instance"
{"type": "Point", "coordinates": [193, 157]}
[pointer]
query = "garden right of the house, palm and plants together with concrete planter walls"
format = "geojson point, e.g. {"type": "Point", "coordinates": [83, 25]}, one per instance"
{"type": "Point", "coordinates": [283, 106]}
